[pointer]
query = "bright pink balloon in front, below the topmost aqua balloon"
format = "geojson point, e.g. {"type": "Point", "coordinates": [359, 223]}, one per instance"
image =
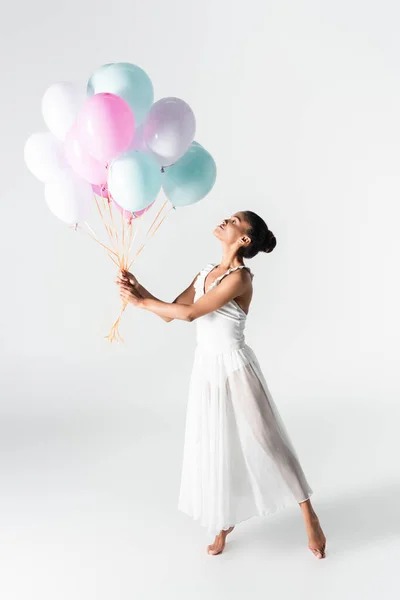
{"type": "Point", "coordinates": [106, 126]}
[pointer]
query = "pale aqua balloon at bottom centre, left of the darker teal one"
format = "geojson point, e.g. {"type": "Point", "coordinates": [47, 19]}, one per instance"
{"type": "Point", "coordinates": [134, 180]}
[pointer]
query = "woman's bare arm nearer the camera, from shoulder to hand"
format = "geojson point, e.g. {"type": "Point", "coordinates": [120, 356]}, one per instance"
{"type": "Point", "coordinates": [229, 288]}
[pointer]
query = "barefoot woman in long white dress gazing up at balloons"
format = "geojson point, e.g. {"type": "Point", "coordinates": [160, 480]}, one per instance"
{"type": "Point", "coordinates": [238, 459]}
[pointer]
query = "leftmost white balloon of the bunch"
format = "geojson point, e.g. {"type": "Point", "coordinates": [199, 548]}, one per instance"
{"type": "Point", "coordinates": [45, 156]}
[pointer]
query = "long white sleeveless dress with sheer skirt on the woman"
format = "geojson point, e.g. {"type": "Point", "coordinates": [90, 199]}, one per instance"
{"type": "Point", "coordinates": [238, 459]}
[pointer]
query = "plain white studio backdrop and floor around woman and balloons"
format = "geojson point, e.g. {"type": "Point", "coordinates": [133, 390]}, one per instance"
{"type": "Point", "coordinates": [299, 103]}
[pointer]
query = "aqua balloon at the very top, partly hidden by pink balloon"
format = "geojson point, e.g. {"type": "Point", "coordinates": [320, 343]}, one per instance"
{"type": "Point", "coordinates": [127, 81]}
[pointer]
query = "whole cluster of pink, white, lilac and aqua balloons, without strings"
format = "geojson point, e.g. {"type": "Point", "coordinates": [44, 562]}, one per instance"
{"type": "Point", "coordinates": [112, 139]}
